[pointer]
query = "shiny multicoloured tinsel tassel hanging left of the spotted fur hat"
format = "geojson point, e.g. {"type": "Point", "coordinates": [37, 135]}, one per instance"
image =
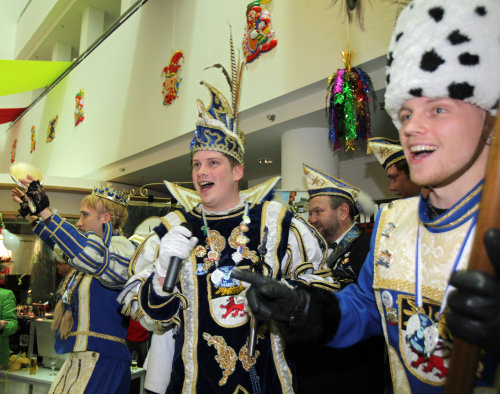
{"type": "Point", "coordinates": [348, 98]}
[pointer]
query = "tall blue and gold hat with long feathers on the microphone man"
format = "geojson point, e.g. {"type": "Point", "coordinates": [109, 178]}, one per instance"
{"type": "Point", "coordinates": [217, 125]}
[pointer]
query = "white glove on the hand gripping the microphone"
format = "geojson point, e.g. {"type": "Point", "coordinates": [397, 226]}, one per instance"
{"type": "Point", "coordinates": [177, 242]}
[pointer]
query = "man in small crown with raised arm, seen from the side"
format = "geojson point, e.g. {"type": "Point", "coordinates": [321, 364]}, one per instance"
{"type": "Point", "coordinates": [87, 318]}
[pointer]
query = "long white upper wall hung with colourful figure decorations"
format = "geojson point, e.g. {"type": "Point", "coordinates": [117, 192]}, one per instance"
{"type": "Point", "coordinates": [121, 78]}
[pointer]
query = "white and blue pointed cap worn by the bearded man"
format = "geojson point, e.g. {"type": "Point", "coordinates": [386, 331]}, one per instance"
{"type": "Point", "coordinates": [322, 184]}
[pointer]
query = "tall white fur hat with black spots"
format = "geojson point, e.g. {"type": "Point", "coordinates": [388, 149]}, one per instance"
{"type": "Point", "coordinates": [445, 48]}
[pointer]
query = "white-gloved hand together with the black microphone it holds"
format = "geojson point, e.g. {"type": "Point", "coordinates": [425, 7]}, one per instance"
{"type": "Point", "coordinates": [175, 246]}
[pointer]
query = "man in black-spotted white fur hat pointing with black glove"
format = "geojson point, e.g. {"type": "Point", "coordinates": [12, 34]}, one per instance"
{"type": "Point", "coordinates": [442, 93]}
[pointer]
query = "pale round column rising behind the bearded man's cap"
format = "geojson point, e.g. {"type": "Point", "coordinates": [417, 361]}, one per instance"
{"type": "Point", "coordinates": [309, 146]}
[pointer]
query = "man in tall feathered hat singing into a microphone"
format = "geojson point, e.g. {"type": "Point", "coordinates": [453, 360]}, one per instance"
{"type": "Point", "coordinates": [213, 339]}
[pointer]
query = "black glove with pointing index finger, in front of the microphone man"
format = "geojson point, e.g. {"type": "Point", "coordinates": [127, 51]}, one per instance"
{"type": "Point", "coordinates": [272, 300]}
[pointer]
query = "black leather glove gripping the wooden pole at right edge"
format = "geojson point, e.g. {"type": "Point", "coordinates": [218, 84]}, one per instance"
{"type": "Point", "coordinates": [474, 307]}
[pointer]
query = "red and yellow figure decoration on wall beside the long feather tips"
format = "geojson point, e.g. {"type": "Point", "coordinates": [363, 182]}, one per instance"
{"type": "Point", "coordinates": [259, 35]}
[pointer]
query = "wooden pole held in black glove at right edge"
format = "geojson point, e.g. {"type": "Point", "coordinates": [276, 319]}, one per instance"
{"type": "Point", "coordinates": [465, 357]}
